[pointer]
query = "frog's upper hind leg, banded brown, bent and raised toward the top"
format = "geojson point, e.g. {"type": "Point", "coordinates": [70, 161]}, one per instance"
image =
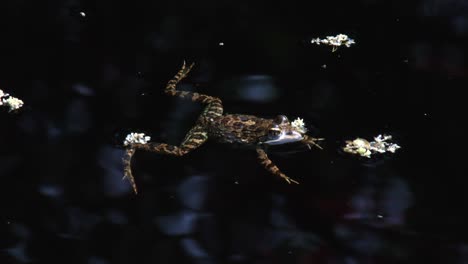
{"type": "Point", "coordinates": [214, 105]}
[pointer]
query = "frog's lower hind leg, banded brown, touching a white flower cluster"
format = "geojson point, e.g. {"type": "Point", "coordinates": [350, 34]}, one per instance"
{"type": "Point", "coordinates": [194, 138]}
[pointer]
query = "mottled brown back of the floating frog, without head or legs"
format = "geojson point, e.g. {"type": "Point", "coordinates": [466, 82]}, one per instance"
{"type": "Point", "coordinates": [238, 129]}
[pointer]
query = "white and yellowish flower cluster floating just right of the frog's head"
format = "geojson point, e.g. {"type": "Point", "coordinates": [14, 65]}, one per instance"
{"type": "Point", "coordinates": [364, 148]}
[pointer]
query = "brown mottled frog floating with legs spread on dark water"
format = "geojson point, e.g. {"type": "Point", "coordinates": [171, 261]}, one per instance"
{"type": "Point", "coordinates": [248, 131]}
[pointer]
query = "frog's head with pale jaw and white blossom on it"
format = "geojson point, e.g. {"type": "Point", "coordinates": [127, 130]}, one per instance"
{"type": "Point", "coordinates": [282, 131]}
